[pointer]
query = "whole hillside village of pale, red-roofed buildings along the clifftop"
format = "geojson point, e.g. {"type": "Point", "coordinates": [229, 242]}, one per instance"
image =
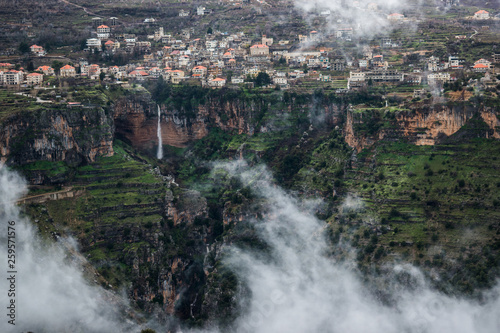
{"type": "Point", "coordinates": [218, 59]}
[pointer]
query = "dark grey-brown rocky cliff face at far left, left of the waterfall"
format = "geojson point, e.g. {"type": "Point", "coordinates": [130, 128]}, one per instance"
{"type": "Point", "coordinates": [56, 134]}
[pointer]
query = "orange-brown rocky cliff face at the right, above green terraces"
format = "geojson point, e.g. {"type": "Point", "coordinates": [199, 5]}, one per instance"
{"type": "Point", "coordinates": [421, 126]}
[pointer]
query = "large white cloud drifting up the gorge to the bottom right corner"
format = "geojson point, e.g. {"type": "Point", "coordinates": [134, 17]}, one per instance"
{"type": "Point", "coordinates": [299, 289]}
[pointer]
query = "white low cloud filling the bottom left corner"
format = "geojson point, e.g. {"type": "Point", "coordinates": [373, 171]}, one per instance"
{"type": "Point", "coordinates": [51, 294]}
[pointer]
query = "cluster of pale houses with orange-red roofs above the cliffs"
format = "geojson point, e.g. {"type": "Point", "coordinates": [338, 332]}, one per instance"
{"type": "Point", "coordinates": [219, 59]}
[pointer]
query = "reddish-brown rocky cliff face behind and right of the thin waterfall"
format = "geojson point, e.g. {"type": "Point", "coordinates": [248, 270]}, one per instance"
{"type": "Point", "coordinates": [136, 119]}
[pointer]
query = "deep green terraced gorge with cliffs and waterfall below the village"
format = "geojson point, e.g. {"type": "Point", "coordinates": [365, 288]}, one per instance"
{"type": "Point", "coordinates": [238, 246]}
